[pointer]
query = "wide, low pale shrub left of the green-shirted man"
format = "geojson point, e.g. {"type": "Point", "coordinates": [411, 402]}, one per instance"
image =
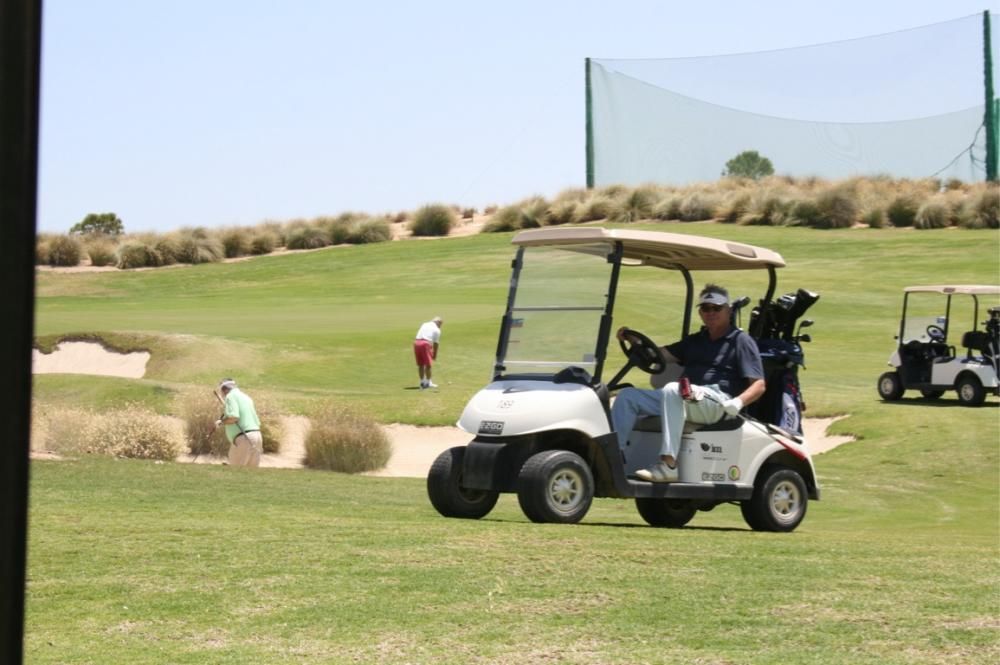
{"type": "Point", "coordinates": [134, 432]}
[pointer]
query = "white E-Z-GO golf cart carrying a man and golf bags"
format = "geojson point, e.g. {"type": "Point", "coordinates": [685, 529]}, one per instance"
{"type": "Point", "coordinates": [543, 428]}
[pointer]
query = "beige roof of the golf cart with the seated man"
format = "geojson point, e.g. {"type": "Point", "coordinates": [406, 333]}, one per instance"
{"type": "Point", "coordinates": [657, 248]}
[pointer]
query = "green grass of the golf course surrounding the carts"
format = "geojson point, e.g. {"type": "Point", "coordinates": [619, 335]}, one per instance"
{"type": "Point", "coordinates": [138, 562]}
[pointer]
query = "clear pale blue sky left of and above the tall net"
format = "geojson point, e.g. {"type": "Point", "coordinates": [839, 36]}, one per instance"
{"type": "Point", "coordinates": [223, 112]}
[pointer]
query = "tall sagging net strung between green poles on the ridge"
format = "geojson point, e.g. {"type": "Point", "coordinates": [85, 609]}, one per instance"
{"type": "Point", "coordinates": [907, 104]}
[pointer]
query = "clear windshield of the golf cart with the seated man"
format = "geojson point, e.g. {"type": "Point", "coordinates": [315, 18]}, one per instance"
{"type": "Point", "coordinates": [557, 300]}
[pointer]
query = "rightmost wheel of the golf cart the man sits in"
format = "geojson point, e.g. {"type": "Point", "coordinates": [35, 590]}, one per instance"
{"type": "Point", "coordinates": [779, 500]}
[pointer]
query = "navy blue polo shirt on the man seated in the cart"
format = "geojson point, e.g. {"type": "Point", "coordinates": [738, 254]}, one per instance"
{"type": "Point", "coordinates": [729, 361]}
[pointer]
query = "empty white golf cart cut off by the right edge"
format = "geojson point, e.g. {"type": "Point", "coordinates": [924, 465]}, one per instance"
{"type": "Point", "coordinates": [926, 359]}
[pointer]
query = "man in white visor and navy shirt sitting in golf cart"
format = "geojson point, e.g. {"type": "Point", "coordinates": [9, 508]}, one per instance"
{"type": "Point", "coordinates": [720, 360]}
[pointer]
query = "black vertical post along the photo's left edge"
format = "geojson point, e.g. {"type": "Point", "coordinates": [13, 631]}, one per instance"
{"type": "Point", "coordinates": [20, 42]}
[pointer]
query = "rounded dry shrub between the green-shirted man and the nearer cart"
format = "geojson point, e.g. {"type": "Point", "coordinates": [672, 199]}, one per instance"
{"type": "Point", "coordinates": [344, 440]}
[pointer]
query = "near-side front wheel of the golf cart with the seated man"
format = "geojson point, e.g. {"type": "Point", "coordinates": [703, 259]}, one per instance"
{"type": "Point", "coordinates": [555, 486]}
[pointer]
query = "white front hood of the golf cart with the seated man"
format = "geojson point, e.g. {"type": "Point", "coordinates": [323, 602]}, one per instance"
{"type": "Point", "coordinates": [516, 407]}
